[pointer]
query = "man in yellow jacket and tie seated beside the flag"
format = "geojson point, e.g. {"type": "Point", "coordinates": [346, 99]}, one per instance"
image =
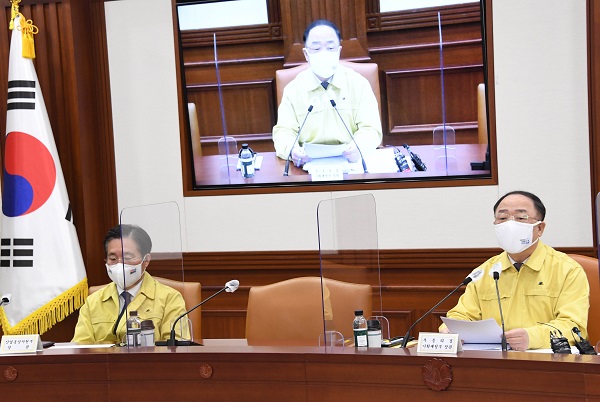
{"type": "Point", "coordinates": [102, 318]}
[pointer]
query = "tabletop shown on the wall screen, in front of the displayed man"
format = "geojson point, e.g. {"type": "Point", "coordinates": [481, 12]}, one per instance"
{"type": "Point", "coordinates": [212, 170]}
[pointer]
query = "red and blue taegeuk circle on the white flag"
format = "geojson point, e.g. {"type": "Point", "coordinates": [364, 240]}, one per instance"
{"type": "Point", "coordinates": [29, 174]}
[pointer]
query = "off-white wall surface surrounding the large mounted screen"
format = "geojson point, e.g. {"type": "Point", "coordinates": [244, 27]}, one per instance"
{"type": "Point", "coordinates": [541, 98]}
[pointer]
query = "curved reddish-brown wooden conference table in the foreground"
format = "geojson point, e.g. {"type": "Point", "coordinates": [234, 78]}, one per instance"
{"type": "Point", "coordinates": [237, 372]}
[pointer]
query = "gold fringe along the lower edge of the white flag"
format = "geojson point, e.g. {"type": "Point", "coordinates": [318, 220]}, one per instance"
{"type": "Point", "coordinates": [51, 313]}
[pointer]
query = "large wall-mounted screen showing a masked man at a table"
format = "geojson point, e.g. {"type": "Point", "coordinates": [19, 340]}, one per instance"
{"type": "Point", "coordinates": [419, 112]}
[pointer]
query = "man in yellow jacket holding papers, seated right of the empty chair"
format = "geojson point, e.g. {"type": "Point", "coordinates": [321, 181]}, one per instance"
{"type": "Point", "coordinates": [541, 290]}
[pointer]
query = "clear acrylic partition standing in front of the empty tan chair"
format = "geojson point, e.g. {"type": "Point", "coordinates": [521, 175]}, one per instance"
{"type": "Point", "coordinates": [349, 252]}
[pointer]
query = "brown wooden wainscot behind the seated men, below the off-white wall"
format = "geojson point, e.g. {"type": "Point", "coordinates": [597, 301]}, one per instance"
{"type": "Point", "coordinates": [412, 281]}
